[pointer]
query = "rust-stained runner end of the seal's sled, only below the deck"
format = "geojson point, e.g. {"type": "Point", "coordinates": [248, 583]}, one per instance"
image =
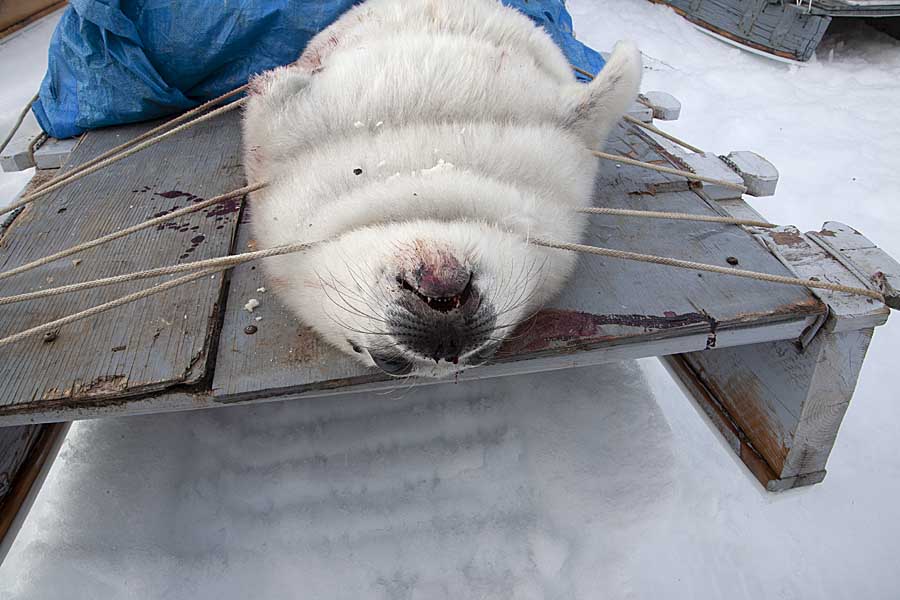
{"type": "Point", "coordinates": [787, 403]}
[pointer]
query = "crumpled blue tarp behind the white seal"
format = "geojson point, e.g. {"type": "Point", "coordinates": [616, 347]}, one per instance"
{"type": "Point", "coordinates": [122, 61]}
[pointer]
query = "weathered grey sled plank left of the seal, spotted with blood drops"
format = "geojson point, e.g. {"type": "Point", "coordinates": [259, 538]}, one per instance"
{"type": "Point", "coordinates": [145, 346]}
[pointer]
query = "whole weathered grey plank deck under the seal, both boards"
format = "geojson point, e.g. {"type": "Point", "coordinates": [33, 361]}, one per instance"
{"type": "Point", "coordinates": [611, 310]}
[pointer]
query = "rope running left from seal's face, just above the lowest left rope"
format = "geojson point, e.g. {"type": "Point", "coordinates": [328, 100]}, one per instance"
{"type": "Point", "coordinates": [222, 261]}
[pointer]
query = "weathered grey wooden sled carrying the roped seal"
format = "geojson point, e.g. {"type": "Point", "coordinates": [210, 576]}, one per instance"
{"type": "Point", "coordinates": [772, 366]}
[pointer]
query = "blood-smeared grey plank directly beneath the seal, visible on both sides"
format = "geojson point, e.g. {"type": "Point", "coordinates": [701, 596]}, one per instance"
{"type": "Point", "coordinates": [608, 303]}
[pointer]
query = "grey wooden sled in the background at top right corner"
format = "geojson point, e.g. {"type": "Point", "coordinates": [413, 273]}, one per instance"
{"type": "Point", "coordinates": [777, 28]}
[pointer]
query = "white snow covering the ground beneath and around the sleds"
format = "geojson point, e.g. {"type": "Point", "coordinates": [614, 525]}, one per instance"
{"type": "Point", "coordinates": [593, 483]}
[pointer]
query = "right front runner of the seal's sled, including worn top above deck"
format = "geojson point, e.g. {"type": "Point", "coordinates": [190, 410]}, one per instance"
{"type": "Point", "coordinates": [780, 404]}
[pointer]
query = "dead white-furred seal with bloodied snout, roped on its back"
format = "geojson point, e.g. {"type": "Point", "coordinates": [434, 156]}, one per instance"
{"type": "Point", "coordinates": [425, 141]}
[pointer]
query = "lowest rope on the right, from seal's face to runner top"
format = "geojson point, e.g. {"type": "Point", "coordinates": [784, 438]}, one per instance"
{"type": "Point", "coordinates": [687, 264]}
